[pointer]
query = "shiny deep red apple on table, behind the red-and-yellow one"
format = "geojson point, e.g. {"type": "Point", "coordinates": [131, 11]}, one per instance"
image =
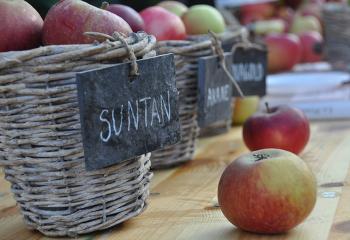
{"type": "Point", "coordinates": [281, 127]}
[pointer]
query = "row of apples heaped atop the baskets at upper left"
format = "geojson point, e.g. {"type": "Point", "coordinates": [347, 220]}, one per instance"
{"type": "Point", "coordinates": [67, 21]}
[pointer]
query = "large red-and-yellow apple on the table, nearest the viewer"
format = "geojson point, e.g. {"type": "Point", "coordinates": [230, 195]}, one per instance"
{"type": "Point", "coordinates": [268, 191]}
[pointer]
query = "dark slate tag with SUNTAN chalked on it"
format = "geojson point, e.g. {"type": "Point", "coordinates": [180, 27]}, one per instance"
{"type": "Point", "coordinates": [125, 116]}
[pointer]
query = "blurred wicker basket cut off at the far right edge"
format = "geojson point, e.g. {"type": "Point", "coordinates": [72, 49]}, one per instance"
{"type": "Point", "coordinates": [336, 18]}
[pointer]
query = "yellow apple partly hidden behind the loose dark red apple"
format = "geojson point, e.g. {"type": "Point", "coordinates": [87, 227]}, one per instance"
{"type": "Point", "coordinates": [244, 108]}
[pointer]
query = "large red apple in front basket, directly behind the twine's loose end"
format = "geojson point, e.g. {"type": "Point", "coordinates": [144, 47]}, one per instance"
{"type": "Point", "coordinates": [66, 22]}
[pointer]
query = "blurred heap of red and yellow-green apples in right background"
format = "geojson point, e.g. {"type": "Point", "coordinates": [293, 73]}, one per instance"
{"type": "Point", "coordinates": [292, 30]}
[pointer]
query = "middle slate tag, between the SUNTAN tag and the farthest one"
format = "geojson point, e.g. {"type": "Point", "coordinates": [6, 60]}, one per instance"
{"type": "Point", "coordinates": [215, 91]}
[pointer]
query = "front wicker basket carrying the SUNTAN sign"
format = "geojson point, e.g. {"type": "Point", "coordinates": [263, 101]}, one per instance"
{"type": "Point", "coordinates": [41, 141]}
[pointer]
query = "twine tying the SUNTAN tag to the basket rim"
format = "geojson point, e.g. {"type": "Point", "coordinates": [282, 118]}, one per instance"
{"type": "Point", "coordinates": [120, 37]}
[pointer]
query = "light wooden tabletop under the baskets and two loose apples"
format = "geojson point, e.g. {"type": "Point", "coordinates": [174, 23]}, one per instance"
{"type": "Point", "coordinates": [182, 199]}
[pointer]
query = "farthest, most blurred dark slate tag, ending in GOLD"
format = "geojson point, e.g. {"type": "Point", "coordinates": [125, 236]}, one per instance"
{"type": "Point", "coordinates": [249, 70]}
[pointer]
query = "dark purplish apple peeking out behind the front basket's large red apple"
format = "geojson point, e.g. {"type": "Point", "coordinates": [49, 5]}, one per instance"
{"type": "Point", "coordinates": [132, 17]}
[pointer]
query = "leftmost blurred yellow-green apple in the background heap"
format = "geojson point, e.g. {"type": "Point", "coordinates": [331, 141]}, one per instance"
{"type": "Point", "coordinates": [268, 26]}
